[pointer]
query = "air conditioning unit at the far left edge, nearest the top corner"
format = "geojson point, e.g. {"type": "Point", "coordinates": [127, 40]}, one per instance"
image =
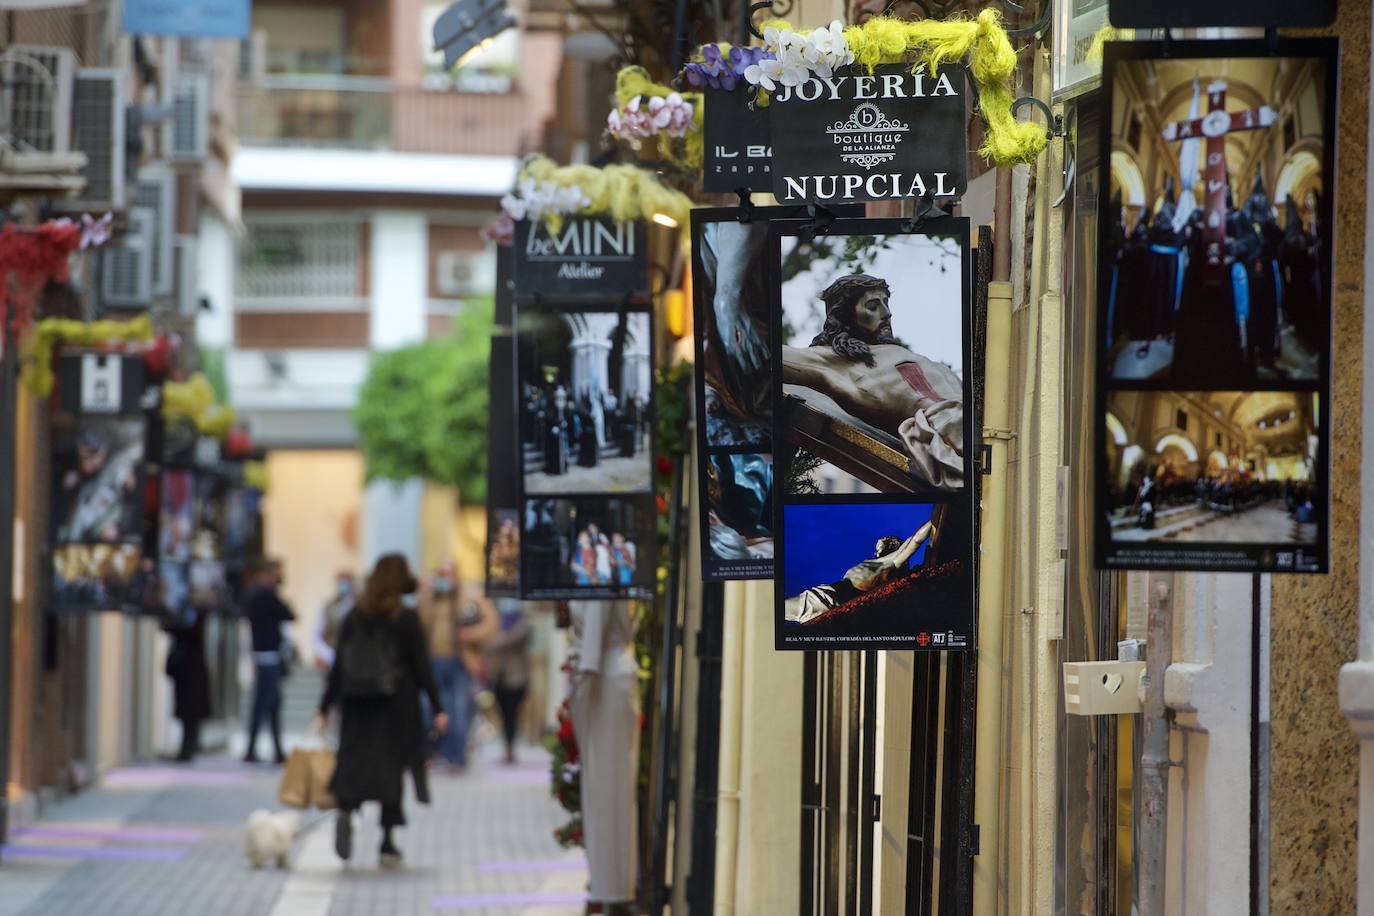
{"type": "Point", "coordinates": [36, 98]}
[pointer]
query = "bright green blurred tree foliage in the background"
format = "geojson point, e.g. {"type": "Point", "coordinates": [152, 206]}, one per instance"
{"type": "Point", "coordinates": [424, 409]}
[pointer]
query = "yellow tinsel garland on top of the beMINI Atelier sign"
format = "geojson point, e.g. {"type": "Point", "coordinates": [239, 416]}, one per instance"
{"type": "Point", "coordinates": [622, 192]}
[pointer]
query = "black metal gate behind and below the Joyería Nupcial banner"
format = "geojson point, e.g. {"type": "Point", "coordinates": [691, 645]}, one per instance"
{"type": "Point", "coordinates": [842, 800]}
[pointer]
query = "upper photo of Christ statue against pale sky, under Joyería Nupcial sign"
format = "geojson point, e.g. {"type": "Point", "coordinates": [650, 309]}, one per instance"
{"type": "Point", "coordinates": [873, 371]}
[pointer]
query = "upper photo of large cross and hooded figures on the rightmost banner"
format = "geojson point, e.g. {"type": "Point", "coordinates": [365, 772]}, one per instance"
{"type": "Point", "coordinates": [1232, 289]}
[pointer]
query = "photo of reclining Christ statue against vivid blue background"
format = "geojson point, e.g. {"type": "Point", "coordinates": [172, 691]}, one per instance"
{"type": "Point", "coordinates": [875, 572]}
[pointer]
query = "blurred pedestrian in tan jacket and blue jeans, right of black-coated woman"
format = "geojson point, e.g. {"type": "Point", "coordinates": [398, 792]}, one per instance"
{"type": "Point", "coordinates": [458, 623]}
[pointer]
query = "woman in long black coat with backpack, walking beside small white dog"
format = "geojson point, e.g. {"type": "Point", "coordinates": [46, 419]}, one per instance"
{"type": "Point", "coordinates": [380, 668]}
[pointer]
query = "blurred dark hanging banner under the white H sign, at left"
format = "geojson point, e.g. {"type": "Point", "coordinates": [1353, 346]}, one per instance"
{"type": "Point", "coordinates": [98, 492]}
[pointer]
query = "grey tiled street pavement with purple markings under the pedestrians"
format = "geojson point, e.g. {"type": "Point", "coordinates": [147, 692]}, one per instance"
{"type": "Point", "coordinates": [484, 848]}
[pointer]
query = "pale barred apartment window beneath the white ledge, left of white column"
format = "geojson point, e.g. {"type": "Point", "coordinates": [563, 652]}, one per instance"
{"type": "Point", "coordinates": [302, 260]}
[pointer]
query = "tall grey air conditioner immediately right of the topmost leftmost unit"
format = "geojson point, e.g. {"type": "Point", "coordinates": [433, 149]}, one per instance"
{"type": "Point", "coordinates": [98, 104]}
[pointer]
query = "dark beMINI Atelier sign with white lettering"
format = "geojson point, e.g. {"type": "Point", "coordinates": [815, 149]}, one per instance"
{"type": "Point", "coordinates": [583, 259]}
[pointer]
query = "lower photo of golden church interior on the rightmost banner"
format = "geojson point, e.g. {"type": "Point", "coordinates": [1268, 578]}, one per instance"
{"type": "Point", "coordinates": [1214, 466]}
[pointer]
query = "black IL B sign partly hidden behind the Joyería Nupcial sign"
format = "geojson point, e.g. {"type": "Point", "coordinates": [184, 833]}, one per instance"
{"type": "Point", "coordinates": [737, 152]}
